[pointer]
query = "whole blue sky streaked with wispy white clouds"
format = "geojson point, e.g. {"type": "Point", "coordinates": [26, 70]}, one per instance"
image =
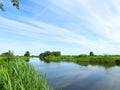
{"type": "Point", "coordinates": [69, 26]}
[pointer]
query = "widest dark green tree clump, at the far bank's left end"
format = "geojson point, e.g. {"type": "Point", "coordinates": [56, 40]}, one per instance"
{"type": "Point", "coordinates": [48, 53]}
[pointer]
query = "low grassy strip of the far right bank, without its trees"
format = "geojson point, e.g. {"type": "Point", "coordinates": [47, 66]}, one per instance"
{"type": "Point", "coordinates": [85, 58]}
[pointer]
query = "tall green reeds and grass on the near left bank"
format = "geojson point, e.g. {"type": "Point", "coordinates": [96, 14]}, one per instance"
{"type": "Point", "coordinates": [18, 75]}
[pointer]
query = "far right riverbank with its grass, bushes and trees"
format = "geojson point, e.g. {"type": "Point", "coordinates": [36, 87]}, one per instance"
{"type": "Point", "coordinates": [91, 58]}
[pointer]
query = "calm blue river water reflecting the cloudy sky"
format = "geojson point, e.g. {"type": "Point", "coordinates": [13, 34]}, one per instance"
{"type": "Point", "coordinates": [73, 76]}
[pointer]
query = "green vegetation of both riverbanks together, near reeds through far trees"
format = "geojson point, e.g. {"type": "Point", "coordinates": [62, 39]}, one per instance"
{"type": "Point", "coordinates": [17, 74]}
